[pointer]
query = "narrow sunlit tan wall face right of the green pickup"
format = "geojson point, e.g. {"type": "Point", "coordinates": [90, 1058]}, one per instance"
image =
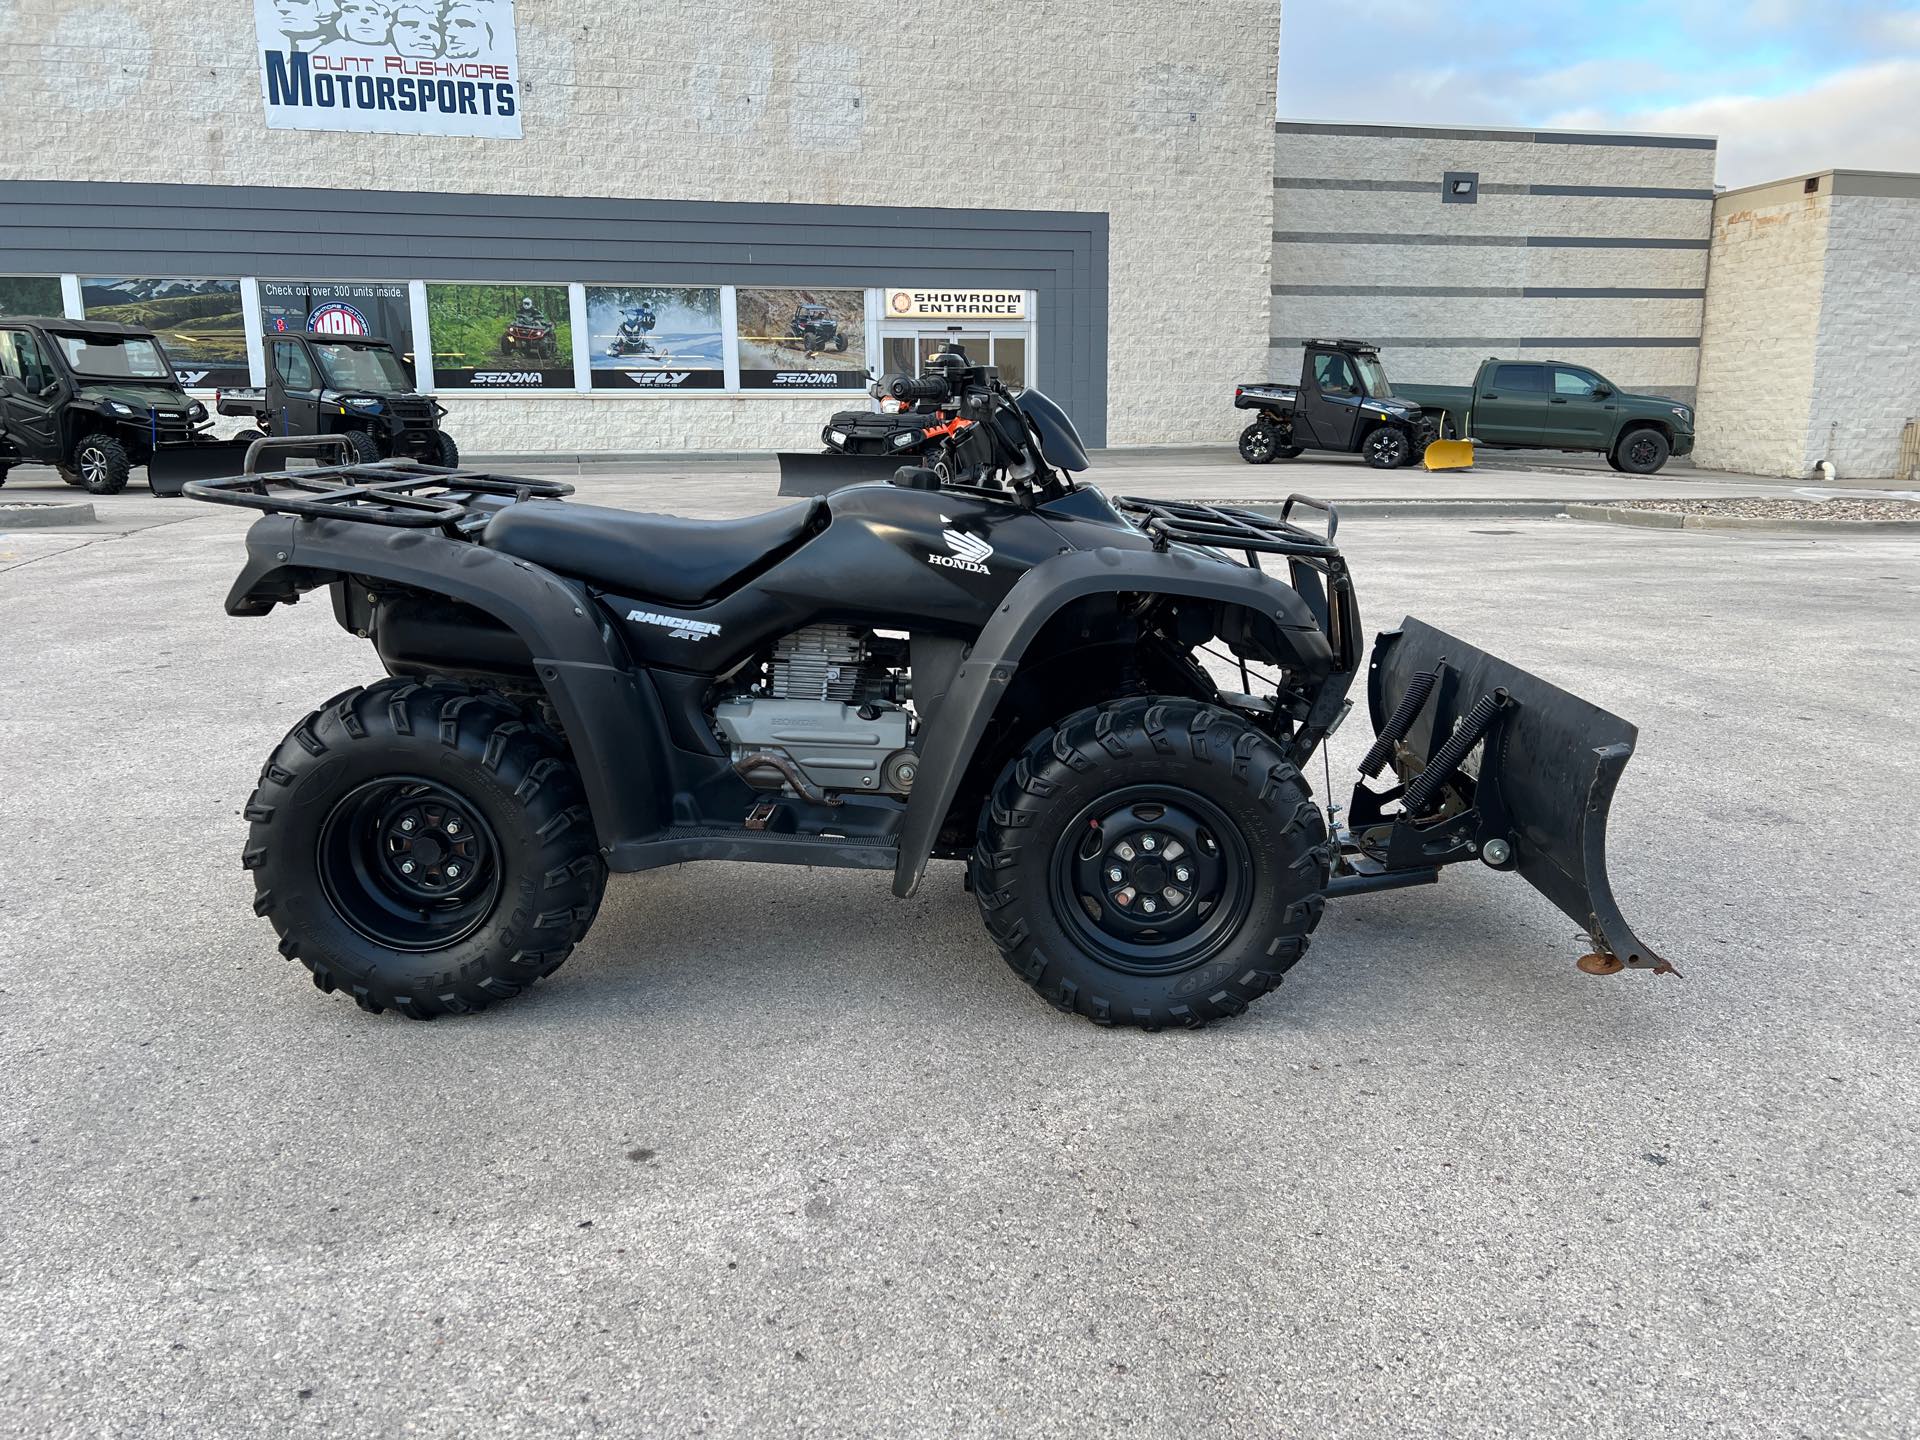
{"type": "Point", "coordinates": [1762, 329]}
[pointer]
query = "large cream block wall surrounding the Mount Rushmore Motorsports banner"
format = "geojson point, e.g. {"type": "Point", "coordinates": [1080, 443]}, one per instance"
{"type": "Point", "coordinates": [1099, 108]}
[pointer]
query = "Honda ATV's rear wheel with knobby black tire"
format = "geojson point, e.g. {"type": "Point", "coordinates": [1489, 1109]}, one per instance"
{"type": "Point", "coordinates": [423, 850]}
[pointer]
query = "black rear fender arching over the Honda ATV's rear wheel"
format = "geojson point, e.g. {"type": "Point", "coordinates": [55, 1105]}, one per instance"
{"type": "Point", "coordinates": [612, 721]}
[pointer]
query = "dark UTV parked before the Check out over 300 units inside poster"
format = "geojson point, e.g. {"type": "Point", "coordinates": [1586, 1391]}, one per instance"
{"type": "Point", "coordinates": [333, 385]}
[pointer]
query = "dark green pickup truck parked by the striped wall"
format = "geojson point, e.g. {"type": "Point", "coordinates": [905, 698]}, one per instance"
{"type": "Point", "coordinates": [1558, 406]}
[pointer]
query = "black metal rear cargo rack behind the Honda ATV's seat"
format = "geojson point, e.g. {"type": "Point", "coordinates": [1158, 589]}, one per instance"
{"type": "Point", "coordinates": [398, 494]}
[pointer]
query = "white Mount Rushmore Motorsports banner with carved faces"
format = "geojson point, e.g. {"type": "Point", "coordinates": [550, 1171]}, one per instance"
{"type": "Point", "coordinates": [391, 66]}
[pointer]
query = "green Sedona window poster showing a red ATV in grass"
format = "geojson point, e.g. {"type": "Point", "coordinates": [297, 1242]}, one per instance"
{"type": "Point", "coordinates": [500, 337]}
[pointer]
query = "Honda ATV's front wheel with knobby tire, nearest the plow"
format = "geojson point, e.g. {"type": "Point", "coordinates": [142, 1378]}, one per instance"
{"type": "Point", "coordinates": [1151, 863]}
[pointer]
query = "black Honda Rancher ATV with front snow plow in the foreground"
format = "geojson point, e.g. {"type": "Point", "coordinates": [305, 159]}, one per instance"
{"type": "Point", "coordinates": [1007, 671]}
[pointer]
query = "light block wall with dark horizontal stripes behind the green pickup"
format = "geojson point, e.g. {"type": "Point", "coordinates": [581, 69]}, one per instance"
{"type": "Point", "coordinates": [1589, 249]}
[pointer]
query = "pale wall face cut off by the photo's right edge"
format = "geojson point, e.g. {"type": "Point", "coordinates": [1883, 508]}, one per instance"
{"type": "Point", "coordinates": [1867, 354]}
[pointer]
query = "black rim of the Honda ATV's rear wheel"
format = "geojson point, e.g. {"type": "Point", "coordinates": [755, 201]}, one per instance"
{"type": "Point", "coordinates": [410, 865]}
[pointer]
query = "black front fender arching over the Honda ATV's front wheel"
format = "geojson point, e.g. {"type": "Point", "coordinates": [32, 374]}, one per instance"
{"type": "Point", "coordinates": [1038, 596]}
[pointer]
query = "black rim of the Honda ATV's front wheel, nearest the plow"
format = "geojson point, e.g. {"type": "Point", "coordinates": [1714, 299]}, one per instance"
{"type": "Point", "coordinates": [1153, 880]}
